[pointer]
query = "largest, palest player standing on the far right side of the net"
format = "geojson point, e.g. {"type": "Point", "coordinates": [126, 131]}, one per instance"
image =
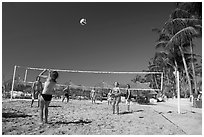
{"type": "Point", "coordinates": [116, 98]}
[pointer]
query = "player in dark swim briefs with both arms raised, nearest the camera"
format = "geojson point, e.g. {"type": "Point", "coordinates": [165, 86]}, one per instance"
{"type": "Point", "coordinates": [47, 93]}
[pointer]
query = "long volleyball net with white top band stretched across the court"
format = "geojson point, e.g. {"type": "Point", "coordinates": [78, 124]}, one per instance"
{"type": "Point", "coordinates": [81, 82]}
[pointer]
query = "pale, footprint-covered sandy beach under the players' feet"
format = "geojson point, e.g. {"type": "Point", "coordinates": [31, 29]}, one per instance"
{"type": "Point", "coordinates": [84, 118]}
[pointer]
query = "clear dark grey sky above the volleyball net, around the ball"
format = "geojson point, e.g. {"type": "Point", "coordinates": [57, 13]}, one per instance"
{"type": "Point", "coordinates": [117, 37]}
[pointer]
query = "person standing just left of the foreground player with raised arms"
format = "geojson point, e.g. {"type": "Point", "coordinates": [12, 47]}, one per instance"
{"type": "Point", "coordinates": [36, 90]}
